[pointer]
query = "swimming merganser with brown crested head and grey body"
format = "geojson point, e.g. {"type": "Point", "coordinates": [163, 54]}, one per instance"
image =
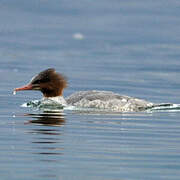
{"type": "Point", "coordinates": [52, 84]}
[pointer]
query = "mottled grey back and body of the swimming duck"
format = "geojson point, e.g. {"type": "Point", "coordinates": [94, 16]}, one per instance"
{"type": "Point", "coordinates": [107, 100]}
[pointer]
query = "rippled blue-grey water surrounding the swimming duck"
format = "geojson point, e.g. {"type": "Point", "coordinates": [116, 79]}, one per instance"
{"type": "Point", "coordinates": [129, 47]}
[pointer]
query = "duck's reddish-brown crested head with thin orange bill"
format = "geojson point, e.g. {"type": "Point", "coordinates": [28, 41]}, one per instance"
{"type": "Point", "coordinates": [49, 82]}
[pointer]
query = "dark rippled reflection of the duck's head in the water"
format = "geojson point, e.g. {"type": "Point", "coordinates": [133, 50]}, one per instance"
{"type": "Point", "coordinates": [47, 135]}
